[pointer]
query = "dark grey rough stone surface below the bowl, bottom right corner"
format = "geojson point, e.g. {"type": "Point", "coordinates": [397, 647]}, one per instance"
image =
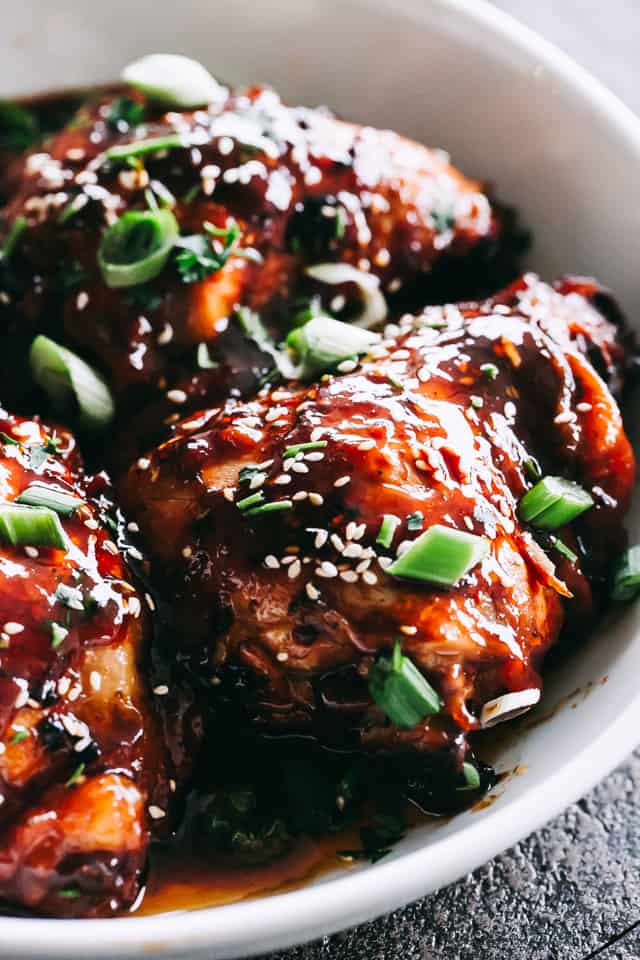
{"type": "Point", "coordinates": [561, 894]}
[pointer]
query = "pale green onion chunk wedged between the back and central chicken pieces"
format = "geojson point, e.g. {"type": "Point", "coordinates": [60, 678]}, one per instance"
{"type": "Point", "coordinates": [322, 343]}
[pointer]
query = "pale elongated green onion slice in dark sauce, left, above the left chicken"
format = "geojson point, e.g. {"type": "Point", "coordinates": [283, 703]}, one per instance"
{"type": "Point", "coordinates": [69, 381]}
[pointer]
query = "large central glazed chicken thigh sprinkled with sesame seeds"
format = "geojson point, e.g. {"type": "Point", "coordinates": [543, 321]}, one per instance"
{"type": "Point", "coordinates": [299, 596]}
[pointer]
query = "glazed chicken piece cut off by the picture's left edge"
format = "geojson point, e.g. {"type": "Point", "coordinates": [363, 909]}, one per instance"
{"type": "Point", "coordinates": [81, 756]}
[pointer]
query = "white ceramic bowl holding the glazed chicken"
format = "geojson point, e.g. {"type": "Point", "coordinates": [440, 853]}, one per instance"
{"type": "Point", "coordinates": [509, 107]}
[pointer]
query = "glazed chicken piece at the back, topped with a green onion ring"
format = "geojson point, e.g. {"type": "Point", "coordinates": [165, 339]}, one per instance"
{"type": "Point", "coordinates": [302, 186]}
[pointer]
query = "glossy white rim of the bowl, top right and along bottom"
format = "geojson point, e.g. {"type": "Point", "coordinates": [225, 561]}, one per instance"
{"type": "Point", "coordinates": [254, 926]}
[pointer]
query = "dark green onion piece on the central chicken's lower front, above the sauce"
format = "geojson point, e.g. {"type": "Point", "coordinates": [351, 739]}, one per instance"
{"type": "Point", "coordinates": [398, 687]}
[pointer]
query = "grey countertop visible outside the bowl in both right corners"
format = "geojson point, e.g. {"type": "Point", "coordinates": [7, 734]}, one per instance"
{"type": "Point", "coordinates": [572, 890]}
